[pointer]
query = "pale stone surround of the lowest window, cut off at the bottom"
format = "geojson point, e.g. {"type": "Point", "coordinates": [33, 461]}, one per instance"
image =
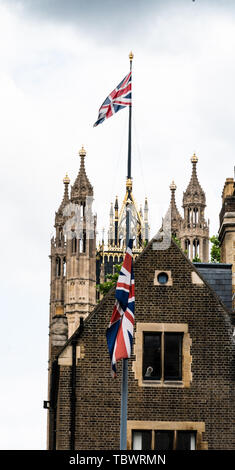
{"type": "Point", "coordinates": [199, 427]}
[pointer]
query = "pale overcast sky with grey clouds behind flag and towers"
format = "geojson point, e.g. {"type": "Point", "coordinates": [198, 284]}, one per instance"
{"type": "Point", "coordinates": [59, 59]}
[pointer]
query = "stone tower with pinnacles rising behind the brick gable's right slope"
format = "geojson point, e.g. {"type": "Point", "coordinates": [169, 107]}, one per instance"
{"type": "Point", "coordinates": [192, 230]}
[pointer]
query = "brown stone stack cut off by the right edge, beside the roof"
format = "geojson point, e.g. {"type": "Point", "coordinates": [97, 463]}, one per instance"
{"type": "Point", "coordinates": [227, 228]}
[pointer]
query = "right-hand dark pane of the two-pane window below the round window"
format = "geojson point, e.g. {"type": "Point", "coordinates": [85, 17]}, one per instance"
{"type": "Point", "coordinates": [173, 356]}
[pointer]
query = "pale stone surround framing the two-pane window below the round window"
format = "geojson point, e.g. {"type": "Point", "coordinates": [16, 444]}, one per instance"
{"type": "Point", "coordinates": [141, 328]}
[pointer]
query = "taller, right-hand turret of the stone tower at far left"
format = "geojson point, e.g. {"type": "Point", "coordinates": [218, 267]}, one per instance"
{"type": "Point", "coordinates": [81, 251]}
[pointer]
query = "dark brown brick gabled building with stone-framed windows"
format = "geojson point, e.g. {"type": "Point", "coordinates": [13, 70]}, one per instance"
{"type": "Point", "coordinates": [181, 373]}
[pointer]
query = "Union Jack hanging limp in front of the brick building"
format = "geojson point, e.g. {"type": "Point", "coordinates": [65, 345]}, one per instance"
{"type": "Point", "coordinates": [120, 331]}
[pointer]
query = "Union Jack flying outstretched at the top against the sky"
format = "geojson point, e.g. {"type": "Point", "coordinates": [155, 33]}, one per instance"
{"type": "Point", "coordinates": [118, 99]}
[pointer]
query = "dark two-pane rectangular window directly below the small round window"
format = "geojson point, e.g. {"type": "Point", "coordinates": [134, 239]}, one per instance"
{"type": "Point", "coordinates": [162, 356]}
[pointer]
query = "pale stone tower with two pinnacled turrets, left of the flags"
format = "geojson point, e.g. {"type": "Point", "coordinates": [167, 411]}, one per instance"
{"type": "Point", "coordinates": [73, 259]}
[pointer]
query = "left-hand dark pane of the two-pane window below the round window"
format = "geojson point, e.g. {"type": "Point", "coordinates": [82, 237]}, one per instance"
{"type": "Point", "coordinates": [152, 356]}
